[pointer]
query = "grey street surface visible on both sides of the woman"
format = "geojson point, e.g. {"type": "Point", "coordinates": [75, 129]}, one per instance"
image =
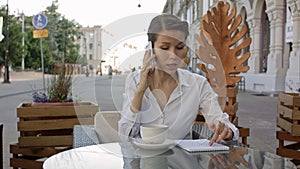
{"type": "Point", "coordinates": [255, 112]}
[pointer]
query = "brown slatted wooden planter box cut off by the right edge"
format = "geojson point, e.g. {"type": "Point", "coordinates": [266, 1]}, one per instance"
{"type": "Point", "coordinates": [289, 113]}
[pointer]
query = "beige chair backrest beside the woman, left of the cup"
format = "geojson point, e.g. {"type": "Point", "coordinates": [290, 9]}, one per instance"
{"type": "Point", "coordinates": [106, 126]}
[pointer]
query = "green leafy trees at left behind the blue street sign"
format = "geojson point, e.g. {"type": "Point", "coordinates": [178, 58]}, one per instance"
{"type": "Point", "coordinates": [59, 46]}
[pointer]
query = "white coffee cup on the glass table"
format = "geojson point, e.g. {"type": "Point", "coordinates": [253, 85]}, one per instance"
{"type": "Point", "coordinates": [154, 133]}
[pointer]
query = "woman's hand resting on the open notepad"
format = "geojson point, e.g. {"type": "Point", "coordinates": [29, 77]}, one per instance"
{"type": "Point", "coordinates": [221, 132]}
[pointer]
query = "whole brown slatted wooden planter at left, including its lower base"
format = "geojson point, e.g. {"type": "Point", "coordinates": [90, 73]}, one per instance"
{"type": "Point", "coordinates": [46, 130]}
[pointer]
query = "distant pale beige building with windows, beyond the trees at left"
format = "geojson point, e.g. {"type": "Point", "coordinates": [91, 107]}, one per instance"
{"type": "Point", "coordinates": [91, 46]}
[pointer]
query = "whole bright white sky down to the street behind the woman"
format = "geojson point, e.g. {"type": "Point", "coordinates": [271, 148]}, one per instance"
{"type": "Point", "coordinates": [111, 15]}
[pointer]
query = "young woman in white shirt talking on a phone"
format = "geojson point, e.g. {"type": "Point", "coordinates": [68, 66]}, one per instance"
{"type": "Point", "coordinates": [163, 93]}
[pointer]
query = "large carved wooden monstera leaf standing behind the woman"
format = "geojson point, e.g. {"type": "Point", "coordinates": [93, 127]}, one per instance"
{"type": "Point", "coordinates": [221, 31]}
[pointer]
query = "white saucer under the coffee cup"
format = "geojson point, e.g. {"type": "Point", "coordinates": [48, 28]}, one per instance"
{"type": "Point", "coordinates": [147, 146]}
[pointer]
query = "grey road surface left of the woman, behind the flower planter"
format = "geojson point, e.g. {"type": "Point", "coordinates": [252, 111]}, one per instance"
{"type": "Point", "coordinates": [103, 90]}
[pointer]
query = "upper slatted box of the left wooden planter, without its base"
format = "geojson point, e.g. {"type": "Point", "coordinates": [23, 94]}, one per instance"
{"type": "Point", "coordinates": [51, 126]}
